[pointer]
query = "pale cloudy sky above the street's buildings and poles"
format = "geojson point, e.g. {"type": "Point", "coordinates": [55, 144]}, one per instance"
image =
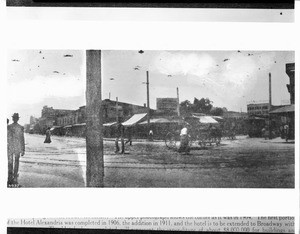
{"type": "Point", "coordinates": [230, 79]}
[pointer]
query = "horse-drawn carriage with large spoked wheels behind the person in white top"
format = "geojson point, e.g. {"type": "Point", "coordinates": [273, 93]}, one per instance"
{"type": "Point", "coordinates": [202, 130]}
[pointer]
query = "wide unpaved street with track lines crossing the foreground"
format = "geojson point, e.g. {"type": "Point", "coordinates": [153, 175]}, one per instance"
{"type": "Point", "coordinates": [242, 163]}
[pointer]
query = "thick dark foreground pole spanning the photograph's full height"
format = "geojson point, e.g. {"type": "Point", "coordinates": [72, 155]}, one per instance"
{"type": "Point", "coordinates": [94, 121]}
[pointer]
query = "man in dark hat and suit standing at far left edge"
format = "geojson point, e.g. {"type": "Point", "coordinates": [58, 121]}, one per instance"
{"type": "Point", "coordinates": [16, 147]}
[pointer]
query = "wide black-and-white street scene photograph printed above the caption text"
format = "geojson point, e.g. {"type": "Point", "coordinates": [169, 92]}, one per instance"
{"type": "Point", "coordinates": [151, 118]}
